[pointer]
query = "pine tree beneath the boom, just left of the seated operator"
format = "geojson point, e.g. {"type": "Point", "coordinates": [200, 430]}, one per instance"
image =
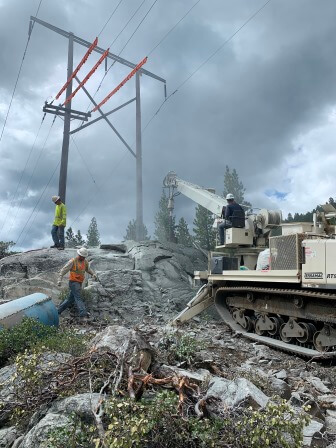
{"type": "Point", "coordinates": [205, 235]}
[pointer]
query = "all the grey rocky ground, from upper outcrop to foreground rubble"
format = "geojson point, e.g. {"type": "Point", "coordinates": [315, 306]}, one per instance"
{"type": "Point", "coordinates": [140, 288]}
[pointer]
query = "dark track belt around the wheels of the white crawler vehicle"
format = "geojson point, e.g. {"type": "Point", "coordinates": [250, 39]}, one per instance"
{"type": "Point", "coordinates": [275, 343]}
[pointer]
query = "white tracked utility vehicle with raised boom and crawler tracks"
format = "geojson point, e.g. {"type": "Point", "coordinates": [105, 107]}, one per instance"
{"type": "Point", "coordinates": [278, 290]}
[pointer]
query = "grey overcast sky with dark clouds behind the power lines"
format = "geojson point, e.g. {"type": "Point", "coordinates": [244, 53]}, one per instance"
{"type": "Point", "coordinates": [264, 104]}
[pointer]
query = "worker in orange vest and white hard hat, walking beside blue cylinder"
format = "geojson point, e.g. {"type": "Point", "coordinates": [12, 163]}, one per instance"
{"type": "Point", "coordinates": [77, 267]}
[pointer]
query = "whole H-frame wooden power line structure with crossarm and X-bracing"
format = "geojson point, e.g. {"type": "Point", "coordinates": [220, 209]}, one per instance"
{"type": "Point", "coordinates": [69, 113]}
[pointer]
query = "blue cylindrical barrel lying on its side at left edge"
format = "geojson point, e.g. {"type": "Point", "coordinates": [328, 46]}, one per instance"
{"type": "Point", "coordinates": [37, 306]}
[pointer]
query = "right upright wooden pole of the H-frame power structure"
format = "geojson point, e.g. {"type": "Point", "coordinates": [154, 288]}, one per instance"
{"type": "Point", "coordinates": [139, 198]}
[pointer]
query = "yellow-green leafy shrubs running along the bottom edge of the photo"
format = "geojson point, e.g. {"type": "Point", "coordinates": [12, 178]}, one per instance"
{"type": "Point", "coordinates": [157, 424]}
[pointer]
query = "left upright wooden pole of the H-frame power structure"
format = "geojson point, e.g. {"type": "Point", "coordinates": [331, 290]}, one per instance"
{"type": "Point", "coordinates": [66, 131]}
